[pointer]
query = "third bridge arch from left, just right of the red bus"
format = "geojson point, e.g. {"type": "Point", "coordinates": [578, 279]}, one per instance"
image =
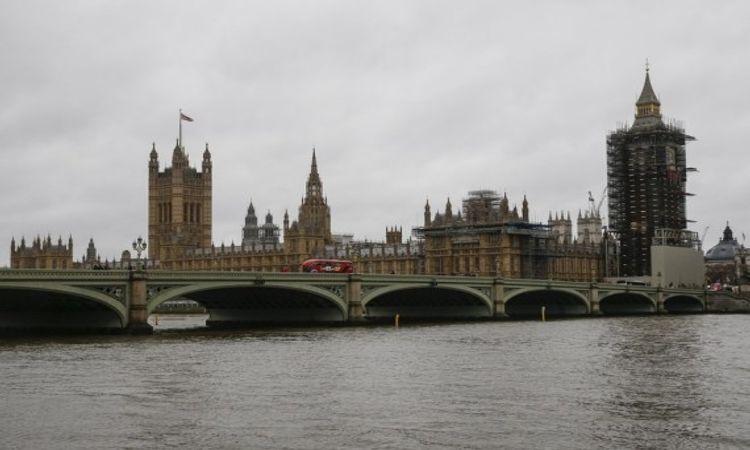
{"type": "Point", "coordinates": [421, 301]}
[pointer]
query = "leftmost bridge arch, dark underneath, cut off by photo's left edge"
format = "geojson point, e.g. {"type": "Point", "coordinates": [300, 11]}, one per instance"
{"type": "Point", "coordinates": [30, 306]}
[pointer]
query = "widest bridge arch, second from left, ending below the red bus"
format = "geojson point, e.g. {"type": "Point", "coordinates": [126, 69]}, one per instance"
{"type": "Point", "coordinates": [247, 302]}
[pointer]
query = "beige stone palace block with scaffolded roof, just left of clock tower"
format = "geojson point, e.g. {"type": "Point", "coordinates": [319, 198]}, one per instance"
{"type": "Point", "coordinates": [491, 239]}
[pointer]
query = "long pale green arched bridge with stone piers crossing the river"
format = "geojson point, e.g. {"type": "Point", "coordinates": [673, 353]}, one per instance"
{"type": "Point", "coordinates": [123, 300]}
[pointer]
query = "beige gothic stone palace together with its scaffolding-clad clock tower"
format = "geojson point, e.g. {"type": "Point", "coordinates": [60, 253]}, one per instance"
{"type": "Point", "coordinates": [485, 236]}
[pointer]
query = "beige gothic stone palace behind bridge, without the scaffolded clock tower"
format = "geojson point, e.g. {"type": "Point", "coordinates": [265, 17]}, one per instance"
{"type": "Point", "coordinates": [484, 238]}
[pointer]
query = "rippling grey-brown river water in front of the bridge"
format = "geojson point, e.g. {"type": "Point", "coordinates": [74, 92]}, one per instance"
{"type": "Point", "coordinates": [637, 382]}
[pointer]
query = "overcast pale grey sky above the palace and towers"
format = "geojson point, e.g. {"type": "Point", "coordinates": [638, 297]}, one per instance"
{"type": "Point", "coordinates": [403, 101]}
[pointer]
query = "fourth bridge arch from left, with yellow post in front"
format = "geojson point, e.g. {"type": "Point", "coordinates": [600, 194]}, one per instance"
{"type": "Point", "coordinates": [560, 302]}
